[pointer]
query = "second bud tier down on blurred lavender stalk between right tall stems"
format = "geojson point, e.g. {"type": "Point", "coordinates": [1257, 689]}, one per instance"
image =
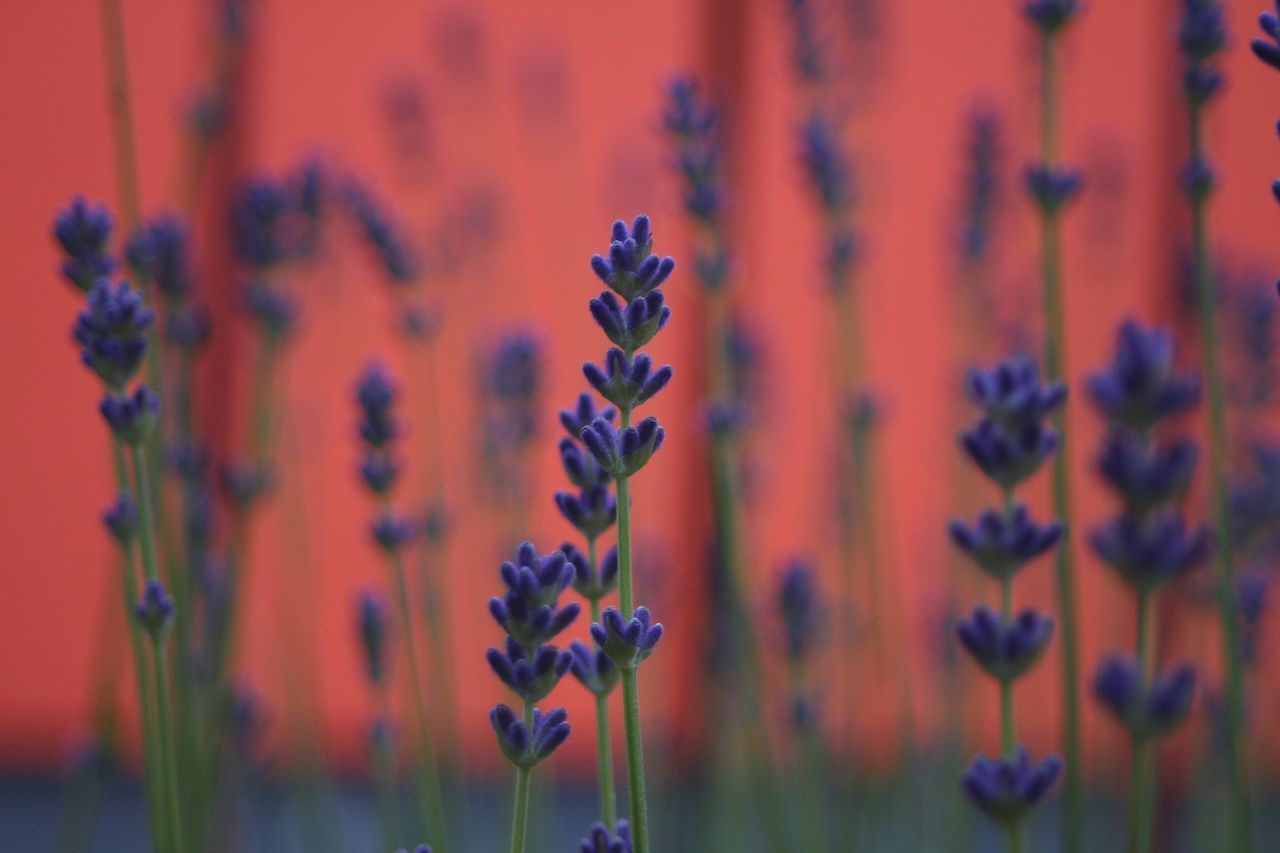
{"type": "Point", "coordinates": [1146, 476]}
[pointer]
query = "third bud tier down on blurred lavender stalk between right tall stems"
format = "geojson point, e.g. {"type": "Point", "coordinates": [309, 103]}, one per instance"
{"type": "Point", "coordinates": [1150, 553]}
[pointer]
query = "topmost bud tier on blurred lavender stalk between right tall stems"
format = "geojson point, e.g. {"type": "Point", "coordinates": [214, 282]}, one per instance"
{"type": "Point", "coordinates": [1142, 386]}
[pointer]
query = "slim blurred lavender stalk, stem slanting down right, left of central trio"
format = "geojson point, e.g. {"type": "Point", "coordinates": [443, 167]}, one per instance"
{"type": "Point", "coordinates": [380, 468]}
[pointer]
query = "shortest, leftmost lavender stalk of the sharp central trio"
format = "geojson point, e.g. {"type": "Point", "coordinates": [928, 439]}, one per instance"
{"type": "Point", "coordinates": [532, 617]}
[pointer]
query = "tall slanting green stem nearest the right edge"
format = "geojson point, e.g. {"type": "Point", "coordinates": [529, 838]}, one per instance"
{"type": "Point", "coordinates": [1223, 553]}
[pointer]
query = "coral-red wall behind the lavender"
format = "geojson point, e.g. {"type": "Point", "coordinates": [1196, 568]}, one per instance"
{"type": "Point", "coordinates": [560, 118]}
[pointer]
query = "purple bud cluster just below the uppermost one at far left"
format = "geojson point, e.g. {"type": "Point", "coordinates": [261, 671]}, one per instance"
{"type": "Point", "coordinates": [112, 332]}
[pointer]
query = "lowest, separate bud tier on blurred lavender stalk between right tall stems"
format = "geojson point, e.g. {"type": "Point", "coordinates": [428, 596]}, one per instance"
{"type": "Point", "coordinates": [1146, 710]}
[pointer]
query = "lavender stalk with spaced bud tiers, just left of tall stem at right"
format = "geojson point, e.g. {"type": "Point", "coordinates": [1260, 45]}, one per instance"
{"type": "Point", "coordinates": [1009, 445]}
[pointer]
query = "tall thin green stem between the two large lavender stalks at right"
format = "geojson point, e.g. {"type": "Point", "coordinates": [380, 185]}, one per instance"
{"type": "Point", "coordinates": [1055, 363]}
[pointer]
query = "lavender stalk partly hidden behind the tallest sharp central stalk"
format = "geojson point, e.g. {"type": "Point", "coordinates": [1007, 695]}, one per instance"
{"type": "Point", "coordinates": [592, 510]}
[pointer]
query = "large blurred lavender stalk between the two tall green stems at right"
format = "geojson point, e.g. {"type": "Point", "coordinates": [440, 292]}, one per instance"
{"type": "Point", "coordinates": [1149, 545]}
